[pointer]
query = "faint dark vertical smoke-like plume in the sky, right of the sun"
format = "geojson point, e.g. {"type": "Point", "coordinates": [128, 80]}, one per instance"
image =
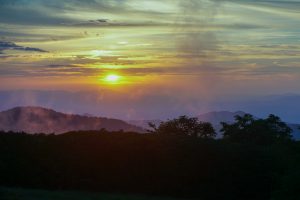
{"type": "Point", "coordinates": [197, 41]}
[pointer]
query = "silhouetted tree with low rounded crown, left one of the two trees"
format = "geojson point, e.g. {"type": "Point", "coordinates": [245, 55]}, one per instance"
{"type": "Point", "coordinates": [184, 125]}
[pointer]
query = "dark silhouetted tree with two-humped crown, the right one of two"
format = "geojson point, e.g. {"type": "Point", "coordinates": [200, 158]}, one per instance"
{"type": "Point", "coordinates": [264, 131]}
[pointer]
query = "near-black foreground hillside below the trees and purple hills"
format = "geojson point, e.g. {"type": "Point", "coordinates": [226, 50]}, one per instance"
{"type": "Point", "coordinates": [177, 166]}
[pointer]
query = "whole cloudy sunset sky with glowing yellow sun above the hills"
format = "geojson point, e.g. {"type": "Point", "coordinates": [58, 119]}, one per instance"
{"type": "Point", "coordinates": [143, 58]}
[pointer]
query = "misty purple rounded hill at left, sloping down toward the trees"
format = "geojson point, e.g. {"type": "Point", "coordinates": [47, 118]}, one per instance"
{"type": "Point", "coordinates": [43, 120]}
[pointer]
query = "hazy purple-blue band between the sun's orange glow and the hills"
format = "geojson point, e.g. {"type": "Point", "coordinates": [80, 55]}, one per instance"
{"type": "Point", "coordinates": [159, 106]}
